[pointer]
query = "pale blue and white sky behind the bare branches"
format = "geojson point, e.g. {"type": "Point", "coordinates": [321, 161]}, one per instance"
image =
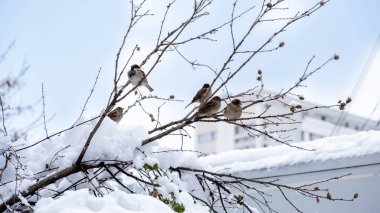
{"type": "Point", "coordinates": [65, 43]}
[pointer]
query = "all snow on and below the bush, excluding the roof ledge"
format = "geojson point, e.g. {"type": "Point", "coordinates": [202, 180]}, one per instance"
{"type": "Point", "coordinates": [111, 142]}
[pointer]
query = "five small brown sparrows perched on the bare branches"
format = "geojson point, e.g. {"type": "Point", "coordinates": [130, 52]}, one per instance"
{"type": "Point", "coordinates": [233, 110]}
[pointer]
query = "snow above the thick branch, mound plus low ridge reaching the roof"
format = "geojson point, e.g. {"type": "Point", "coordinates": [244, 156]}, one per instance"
{"type": "Point", "coordinates": [110, 142]}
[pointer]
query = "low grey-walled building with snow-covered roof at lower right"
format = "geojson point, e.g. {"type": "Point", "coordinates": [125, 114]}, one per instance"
{"type": "Point", "coordinates": [356, 157]}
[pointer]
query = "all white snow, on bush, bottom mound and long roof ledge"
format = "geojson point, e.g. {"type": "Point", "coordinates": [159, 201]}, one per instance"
{"type": "Point", "coordinates": [123, 143]}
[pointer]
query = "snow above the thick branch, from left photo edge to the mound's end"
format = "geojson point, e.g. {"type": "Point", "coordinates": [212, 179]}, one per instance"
{"type": "Point", "coordinates": [109, 143]}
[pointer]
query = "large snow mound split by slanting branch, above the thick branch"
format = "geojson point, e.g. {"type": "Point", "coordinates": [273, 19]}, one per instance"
{"type": "Point", "coordinates": [110, 142]}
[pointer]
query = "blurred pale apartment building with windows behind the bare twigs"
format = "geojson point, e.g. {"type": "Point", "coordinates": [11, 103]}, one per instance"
{"type": "Point", "coordinates": [216, 137]}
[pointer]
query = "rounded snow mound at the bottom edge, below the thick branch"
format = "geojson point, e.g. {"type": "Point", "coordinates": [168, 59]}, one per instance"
{"type": "Point", "coordinates": [117, 202]}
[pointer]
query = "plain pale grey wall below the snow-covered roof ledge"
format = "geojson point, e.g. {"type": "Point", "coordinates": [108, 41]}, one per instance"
{"type": "Point", "coordinates": [364, 179]}
